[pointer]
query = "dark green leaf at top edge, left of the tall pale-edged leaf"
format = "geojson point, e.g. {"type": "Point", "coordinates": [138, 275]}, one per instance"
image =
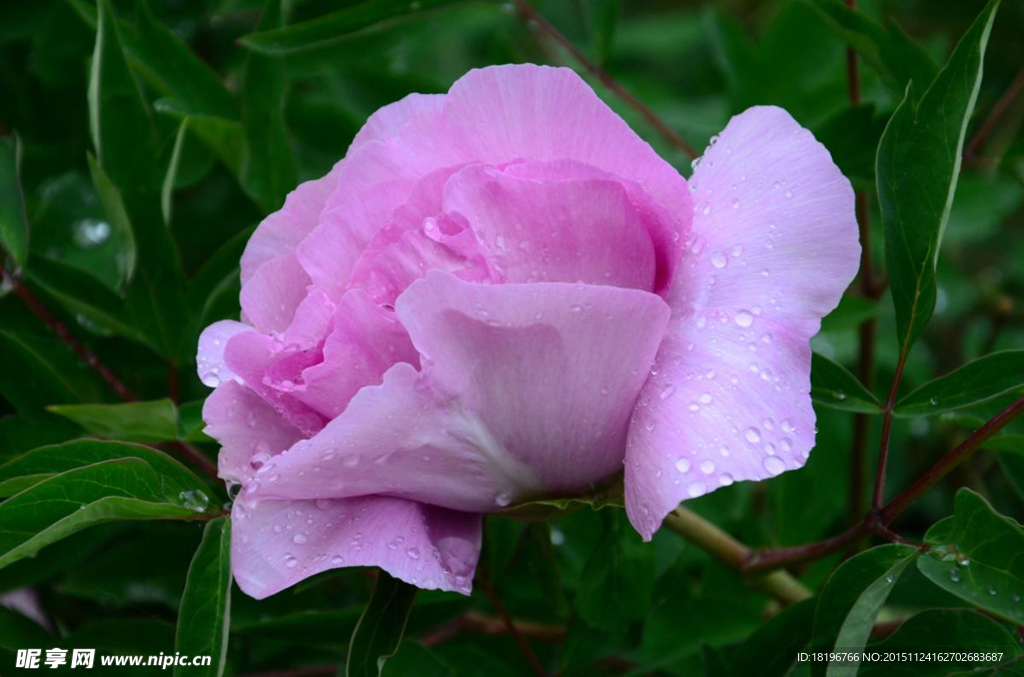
{"type": "Point", "coordinates": [894, 57]}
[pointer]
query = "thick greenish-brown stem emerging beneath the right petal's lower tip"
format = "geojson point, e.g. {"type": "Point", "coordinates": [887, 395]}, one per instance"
{"type": "Point", "coordinates": [732, 553]}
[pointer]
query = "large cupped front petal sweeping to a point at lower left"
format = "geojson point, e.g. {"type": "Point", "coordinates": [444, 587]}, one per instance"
{"type": "Point", "coordinates": [527, 390]}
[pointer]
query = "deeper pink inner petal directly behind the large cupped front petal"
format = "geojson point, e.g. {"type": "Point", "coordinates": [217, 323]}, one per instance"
{"type": "Point", "coordinates": [538, 231]}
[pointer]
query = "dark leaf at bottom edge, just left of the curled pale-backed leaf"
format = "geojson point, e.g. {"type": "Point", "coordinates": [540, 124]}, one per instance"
{"type": "Point", "coordinates": [772, 651]}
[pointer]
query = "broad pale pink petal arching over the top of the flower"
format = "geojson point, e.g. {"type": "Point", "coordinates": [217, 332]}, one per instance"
{"type": "Point", "coordinates": [494, 116]}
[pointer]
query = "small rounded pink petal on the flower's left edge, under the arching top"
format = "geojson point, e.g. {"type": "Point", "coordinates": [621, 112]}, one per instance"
{"type": "Point", "coordinates": [273, 294]}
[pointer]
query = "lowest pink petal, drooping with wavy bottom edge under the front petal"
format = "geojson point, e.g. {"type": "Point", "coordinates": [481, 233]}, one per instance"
{"type": "Point", "coordinates": [276, 544]}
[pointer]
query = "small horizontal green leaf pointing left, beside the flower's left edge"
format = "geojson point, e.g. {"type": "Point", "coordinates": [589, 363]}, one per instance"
{"type": "Point", "coordinates": [155, 421]}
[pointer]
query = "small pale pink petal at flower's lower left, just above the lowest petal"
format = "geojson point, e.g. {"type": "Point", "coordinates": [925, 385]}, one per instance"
{"type": "Point", "coordinates": [248, 430]}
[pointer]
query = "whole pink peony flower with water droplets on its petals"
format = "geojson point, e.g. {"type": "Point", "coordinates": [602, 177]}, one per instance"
{"type": "Point", "coordinates": [503, 294]}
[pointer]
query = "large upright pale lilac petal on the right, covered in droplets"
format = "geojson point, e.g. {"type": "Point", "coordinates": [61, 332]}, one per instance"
{"type": "Point", "coordinates": [774, 245]}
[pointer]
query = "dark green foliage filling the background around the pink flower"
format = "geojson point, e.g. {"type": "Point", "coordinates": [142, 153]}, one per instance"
{"type": "Point", "coordinates": [143, 142]}
